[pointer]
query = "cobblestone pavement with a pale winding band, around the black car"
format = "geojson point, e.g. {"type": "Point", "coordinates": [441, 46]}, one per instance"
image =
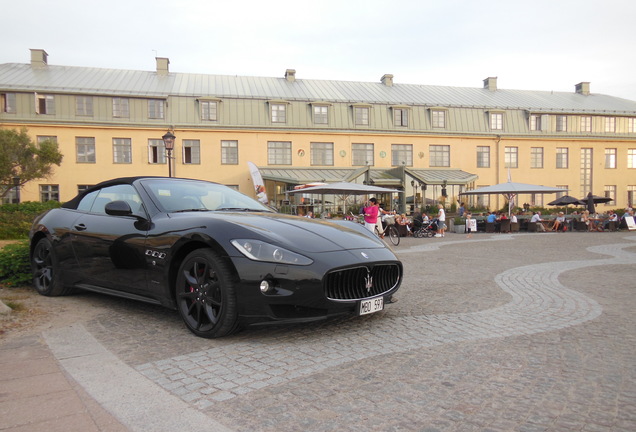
{"type": "Point", "coordinates": [525, 332]}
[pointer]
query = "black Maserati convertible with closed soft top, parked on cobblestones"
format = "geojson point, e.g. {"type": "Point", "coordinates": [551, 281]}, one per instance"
{"type": "Point", "coordinates": [221, 258]}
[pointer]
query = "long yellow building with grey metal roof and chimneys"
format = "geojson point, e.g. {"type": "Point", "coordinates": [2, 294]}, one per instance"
{"type": "Point", "coordinates": [422, 139]}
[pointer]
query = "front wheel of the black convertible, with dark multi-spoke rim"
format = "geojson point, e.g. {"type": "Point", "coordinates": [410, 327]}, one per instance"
{"type": "Point", "coordinates": [206, 296]}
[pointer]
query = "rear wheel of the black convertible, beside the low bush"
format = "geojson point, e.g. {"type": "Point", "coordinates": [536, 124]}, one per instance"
{"type": "Point", "coordinates": [46, 270]}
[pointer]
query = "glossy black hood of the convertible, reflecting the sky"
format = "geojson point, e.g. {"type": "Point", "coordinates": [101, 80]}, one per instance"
{"type": "Point", "coordinates": [295, 232]}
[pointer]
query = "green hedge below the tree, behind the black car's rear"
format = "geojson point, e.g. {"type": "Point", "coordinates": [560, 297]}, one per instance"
{"type": "Point", "coordinates": [16, 219]}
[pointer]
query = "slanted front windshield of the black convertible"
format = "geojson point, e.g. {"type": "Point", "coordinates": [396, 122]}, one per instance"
{"type": "Point", "coordinates": [179, 195]}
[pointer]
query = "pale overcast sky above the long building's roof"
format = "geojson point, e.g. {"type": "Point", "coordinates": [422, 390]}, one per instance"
{"type": "Point", "coordinates": [544, 45]}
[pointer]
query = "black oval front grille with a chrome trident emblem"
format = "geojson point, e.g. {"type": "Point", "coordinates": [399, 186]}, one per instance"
{"type": "Point", "coordinates": [362, 282]}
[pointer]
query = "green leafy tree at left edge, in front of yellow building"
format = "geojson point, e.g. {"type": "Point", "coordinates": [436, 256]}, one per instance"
{"type": "Point", "coordinates": [21, 158]}
